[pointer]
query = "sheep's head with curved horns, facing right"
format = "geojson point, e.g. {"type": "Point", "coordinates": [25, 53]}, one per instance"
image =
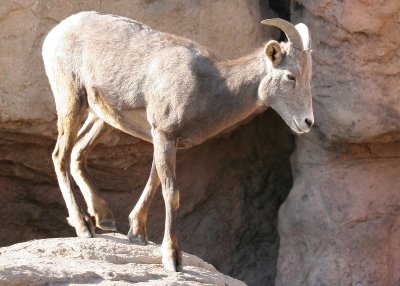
{"type": "Point", "coordinates": [287, 84]}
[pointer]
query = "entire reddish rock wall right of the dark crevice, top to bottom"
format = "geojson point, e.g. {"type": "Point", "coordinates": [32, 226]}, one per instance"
{"type": "Point", "coordinates": [340, 223]}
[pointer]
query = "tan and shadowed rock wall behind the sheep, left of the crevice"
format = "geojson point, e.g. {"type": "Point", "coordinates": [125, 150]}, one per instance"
{"type": "Point", "coordinates": [231, 187]}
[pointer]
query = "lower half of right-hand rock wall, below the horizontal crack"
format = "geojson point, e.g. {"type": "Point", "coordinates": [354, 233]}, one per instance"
{"type": "Point", "coordinates": [340, 222]}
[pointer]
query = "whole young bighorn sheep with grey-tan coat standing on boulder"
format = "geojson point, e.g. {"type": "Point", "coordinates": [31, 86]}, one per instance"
{"type": "Point", "coordinates": [163, 89]}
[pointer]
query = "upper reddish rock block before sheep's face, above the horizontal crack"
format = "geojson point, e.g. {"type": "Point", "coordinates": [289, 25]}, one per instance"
{"type": "Point", "coordinates": [356, 67]}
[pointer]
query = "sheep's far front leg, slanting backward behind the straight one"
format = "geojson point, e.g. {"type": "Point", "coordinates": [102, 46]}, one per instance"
{"type": "Point", "coordinates": [138, 217]}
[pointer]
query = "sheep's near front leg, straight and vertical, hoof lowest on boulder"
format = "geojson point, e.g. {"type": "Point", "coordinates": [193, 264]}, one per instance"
{"type": "Point", "coordinates": [165, 160]}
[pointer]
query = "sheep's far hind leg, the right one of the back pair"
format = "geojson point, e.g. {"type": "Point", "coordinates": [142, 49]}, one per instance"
{"type": "Point", "coordinates": [89, 134]}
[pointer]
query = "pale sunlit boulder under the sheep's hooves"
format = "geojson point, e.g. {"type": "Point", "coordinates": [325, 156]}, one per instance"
{"type": "Point", "coordinates": [105, 260]}
